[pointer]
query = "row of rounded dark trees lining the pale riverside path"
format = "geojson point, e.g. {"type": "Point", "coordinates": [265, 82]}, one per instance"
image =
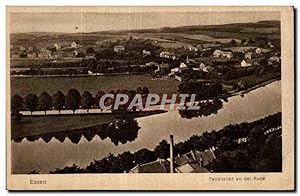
{"type": "Point", "coordinates": [72, 100]}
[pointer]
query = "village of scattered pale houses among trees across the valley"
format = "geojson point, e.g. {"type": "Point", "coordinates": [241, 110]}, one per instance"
{"type": "Point", "coordinates": [230, 61]}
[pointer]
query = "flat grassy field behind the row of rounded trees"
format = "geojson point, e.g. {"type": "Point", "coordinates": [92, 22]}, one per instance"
{"type": "Point", "coordinates": [24, 86]}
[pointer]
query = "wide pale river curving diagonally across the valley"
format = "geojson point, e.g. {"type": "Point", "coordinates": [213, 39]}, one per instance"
{"type": "Point", "coordinates": [43, 157]}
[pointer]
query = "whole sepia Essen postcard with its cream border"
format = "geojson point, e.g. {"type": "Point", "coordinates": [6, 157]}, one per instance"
{"type": "Point", "coordinates": [132, 91]}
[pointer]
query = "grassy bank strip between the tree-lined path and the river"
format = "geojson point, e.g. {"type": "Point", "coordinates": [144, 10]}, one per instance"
{"type": "Point", "coordinates": [36, 125]}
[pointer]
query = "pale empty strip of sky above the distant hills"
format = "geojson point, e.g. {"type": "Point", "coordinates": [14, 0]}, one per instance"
{"type": "Point", "coordinates": [92, 22]}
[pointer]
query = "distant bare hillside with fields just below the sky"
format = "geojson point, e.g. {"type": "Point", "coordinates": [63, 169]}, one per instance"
{"type": "Point", "coordinates": [262, 29]}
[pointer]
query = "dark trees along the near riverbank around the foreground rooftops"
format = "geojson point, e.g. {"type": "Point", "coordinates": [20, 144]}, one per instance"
{"type": "Point", "coordinates": [261, 153]}
